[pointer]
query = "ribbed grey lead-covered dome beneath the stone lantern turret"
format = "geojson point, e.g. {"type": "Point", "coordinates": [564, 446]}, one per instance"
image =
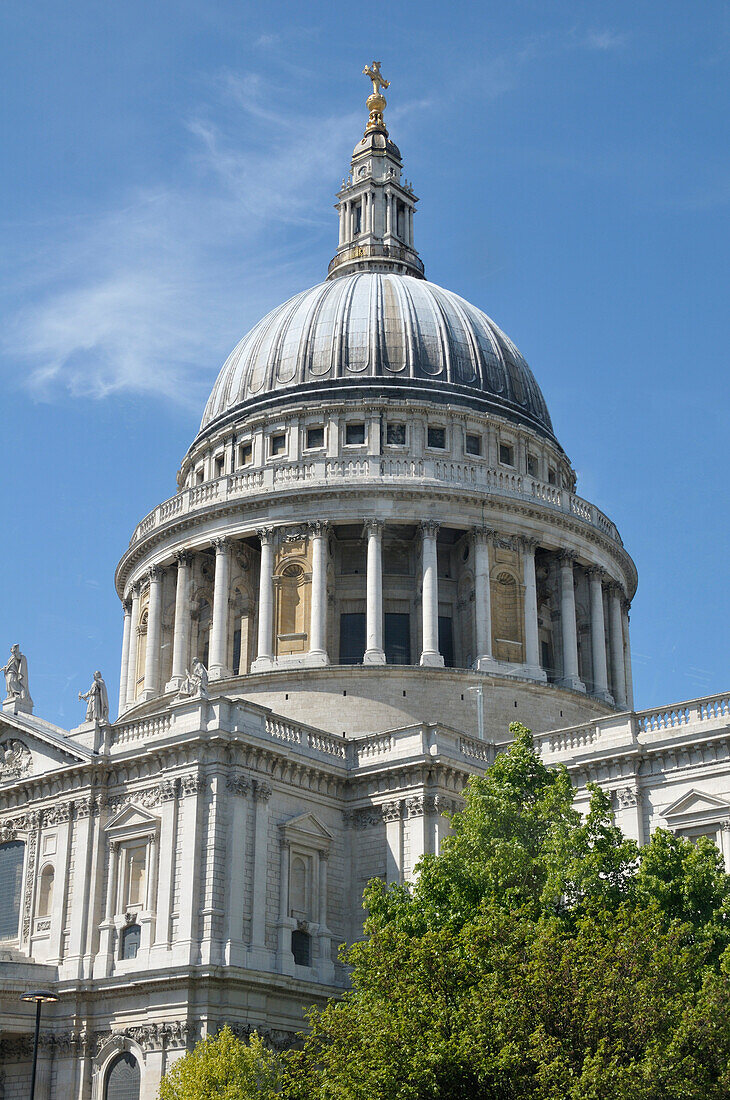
{"type": "Point", "coordinates": [380, 332]}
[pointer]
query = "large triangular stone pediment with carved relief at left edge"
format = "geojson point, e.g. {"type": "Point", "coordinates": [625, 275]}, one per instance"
{"type": "Point", "coordinates": [31, 747]}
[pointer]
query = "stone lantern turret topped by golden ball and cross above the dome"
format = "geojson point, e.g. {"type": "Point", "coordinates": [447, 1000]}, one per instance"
{"type": "Point", "coordinates": [377, 204]}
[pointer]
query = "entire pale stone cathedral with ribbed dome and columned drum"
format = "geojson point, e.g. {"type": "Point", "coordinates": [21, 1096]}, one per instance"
{"type": "Point", "coordinates": [377, 560]}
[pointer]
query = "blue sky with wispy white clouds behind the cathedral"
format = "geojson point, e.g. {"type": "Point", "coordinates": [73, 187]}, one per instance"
{"type": "Point", "coordinates": [169, 177]}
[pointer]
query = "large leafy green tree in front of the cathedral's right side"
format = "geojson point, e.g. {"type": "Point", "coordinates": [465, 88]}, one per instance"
{"type": "Point", "coordinates": [540, 956]}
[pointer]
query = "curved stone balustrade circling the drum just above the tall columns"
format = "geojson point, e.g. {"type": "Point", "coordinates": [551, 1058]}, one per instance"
{"type": "Point", "coordinates": [374, 470]}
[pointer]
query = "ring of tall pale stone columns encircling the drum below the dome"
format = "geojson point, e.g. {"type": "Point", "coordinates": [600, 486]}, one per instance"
{"type": "Point", "coordinates": [614, 657]}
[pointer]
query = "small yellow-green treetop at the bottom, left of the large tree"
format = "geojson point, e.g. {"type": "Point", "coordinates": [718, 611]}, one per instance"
{"type": "Point", "coordinates": [225, 1068]}
